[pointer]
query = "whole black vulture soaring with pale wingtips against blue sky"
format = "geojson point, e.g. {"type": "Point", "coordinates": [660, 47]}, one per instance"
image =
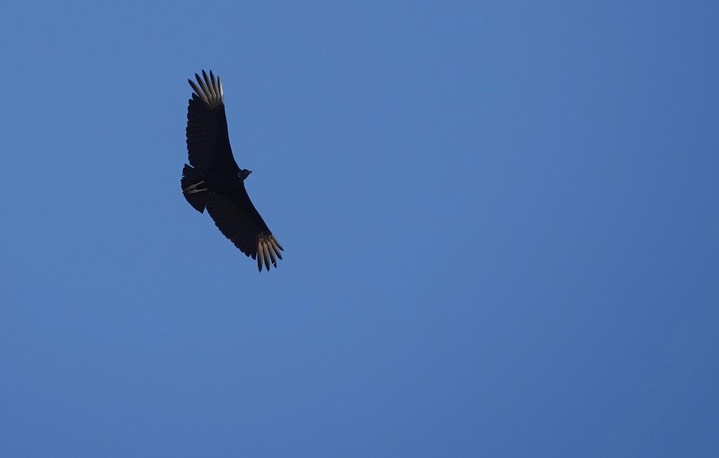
{"type": "Point", "coordinates": [213, 180]}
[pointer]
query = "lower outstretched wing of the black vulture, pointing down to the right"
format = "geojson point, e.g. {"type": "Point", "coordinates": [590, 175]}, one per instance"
{"type": "Point", "coordinates": [243, 225]}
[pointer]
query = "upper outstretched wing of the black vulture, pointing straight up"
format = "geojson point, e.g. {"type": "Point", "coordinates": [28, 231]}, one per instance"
{"type": "Point", "coordinates": [208, 143]}
